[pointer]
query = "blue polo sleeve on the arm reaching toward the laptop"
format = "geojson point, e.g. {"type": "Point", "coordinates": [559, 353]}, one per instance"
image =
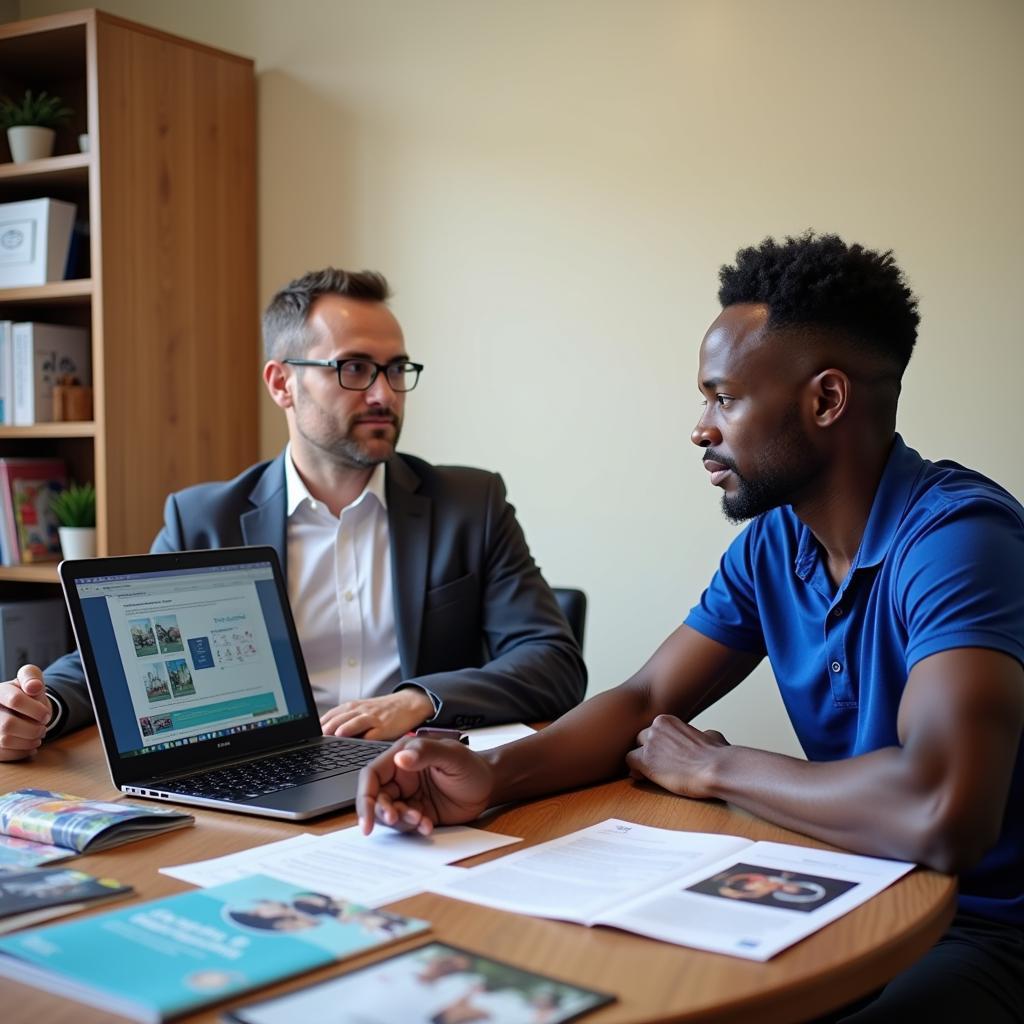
{"type": "Point", "coordinates": [729, 610]}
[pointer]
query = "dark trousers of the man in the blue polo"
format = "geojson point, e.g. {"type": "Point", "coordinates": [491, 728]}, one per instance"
{"type": "Point", "coordinates": [974, 973]}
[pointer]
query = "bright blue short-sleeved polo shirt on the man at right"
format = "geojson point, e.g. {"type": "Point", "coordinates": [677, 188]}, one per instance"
{"type": "Point", "coordinates": [941, 566]}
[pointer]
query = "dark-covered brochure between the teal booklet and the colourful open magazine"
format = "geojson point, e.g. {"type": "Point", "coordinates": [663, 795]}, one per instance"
{"type": "Point", "coordinates": [44, 893]}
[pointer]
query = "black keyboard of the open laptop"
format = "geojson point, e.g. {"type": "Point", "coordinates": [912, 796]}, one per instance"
{"type": "Point", "coordinates": [257, 779]}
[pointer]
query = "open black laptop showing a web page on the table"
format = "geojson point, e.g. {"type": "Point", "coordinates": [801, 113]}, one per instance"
{"type": "Point", "coordinates": [199, 686]}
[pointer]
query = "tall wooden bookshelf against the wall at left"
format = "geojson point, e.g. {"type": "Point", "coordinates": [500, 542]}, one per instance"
{"type": "Point", "coordinates": [167, 285]}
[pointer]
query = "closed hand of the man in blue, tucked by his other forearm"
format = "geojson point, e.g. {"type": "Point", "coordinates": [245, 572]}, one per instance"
{"type": "Point", "coordinates": [677, 757]}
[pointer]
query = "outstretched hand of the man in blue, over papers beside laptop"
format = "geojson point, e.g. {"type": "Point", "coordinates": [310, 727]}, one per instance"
{"type": "Point", "coordinates": [419, 784]}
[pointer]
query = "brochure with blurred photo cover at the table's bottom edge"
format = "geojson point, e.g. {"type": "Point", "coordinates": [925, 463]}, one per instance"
{"type": "Point", "coordinates": [436, 983]}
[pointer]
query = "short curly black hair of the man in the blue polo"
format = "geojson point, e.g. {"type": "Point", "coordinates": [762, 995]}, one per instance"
{"type": "Point", "coordinates": [820, 281]}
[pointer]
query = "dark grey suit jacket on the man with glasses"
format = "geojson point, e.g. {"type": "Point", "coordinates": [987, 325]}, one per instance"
{"type": "Point", "coordinates": [477, 624]}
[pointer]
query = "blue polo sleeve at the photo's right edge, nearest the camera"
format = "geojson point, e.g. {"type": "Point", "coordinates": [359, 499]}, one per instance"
{"type": "Point", "coordinates": [962, 582]}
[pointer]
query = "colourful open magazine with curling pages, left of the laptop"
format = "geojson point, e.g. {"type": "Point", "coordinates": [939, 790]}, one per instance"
{"type": "Point", "coordinates": [44, 827]}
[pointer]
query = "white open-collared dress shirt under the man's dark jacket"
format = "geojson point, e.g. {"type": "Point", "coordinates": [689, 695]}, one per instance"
{"type": "Point", "coordinates": [339, 583]}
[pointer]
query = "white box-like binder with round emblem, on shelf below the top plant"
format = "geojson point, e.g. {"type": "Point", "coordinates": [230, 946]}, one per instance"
{"type": "Point", "coordinates": [35, 238]}
